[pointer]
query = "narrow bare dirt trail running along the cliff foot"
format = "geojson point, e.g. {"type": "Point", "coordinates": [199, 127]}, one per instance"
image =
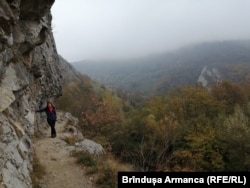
{"type": "Point", "coordinates": [61, 168]}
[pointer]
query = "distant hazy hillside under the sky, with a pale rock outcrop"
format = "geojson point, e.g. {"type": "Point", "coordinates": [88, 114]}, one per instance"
{"type": "Point", "coordinates": [207, 63]}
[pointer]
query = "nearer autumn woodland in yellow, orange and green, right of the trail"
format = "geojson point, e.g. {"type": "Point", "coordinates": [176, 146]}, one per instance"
{"type": "Point", "coordinates": [191, 128]}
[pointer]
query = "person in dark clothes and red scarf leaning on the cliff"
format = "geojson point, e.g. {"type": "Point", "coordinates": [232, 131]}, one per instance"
{"type": "Point", "coordinates": [51, 117]}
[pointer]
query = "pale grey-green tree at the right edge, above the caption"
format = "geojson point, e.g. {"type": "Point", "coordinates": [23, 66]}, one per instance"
{"type": "Point", "coordinates": [235, 134]}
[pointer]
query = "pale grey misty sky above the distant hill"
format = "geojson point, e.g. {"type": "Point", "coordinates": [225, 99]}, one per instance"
{"type": "Point", "coordinates": [97, 29]}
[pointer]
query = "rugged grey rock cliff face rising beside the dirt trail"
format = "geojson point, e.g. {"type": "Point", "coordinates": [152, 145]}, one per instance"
{"type": "Point", "coordinates": [29, 76]}
